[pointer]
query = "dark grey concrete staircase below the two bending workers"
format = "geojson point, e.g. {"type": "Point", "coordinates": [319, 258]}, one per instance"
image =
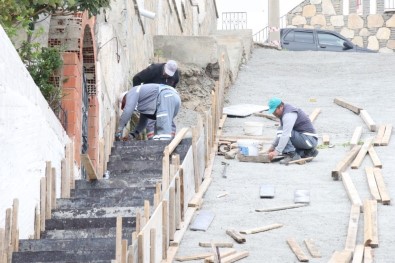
{"type": "Point", "coordinates": [82, 228]}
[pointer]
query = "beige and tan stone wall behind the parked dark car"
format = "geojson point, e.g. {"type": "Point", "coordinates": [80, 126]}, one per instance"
{"type": "Point", "coordinates": [374, 31]}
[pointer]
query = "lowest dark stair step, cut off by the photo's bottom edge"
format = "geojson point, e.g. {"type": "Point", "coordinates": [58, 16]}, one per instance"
{"type": "Point", "coordinates": [65, 256]}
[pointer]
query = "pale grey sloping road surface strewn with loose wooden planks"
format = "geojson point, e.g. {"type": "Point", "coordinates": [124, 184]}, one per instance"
{"type": "Point", "coordinates": [308, 80]}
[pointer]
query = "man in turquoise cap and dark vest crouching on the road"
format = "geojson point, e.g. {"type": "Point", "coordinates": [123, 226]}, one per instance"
{"type": "Point", "coordinates": [296, 136]}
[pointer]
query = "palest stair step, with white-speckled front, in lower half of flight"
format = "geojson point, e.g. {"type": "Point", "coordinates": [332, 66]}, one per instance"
{"type": "Point", "coordinates": [95, 212]}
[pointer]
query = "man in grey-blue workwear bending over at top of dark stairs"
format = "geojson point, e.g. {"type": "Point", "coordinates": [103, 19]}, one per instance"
{"type": "Point", "coordinates": [153, 101]}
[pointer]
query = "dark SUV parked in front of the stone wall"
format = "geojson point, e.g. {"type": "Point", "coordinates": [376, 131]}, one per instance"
{"type": "Point", "coordinates": [300, 39]}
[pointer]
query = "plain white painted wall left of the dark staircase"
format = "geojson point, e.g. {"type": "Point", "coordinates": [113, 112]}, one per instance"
{"type": "Point", "coordinates": [30, 135]}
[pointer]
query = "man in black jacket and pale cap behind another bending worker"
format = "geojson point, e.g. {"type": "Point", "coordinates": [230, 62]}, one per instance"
{"type": "Point", "coordinates": [160, 73]}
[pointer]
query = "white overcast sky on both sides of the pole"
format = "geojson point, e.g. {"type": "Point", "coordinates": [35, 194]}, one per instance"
{"type": "Point", "coordinates": [257, 11]}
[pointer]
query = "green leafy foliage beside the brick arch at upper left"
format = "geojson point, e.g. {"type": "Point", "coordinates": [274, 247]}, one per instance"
{"type": "Point", "coordinates": [43, 63]}
